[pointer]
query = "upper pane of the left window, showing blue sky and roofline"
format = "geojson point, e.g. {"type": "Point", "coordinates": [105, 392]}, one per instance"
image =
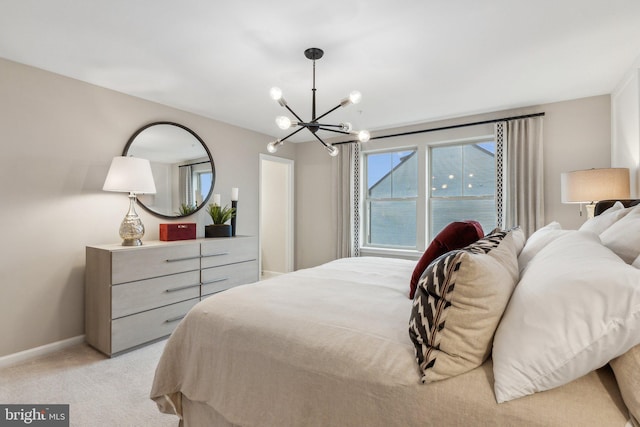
{"type": "Point", "coordinates": [392, 175]}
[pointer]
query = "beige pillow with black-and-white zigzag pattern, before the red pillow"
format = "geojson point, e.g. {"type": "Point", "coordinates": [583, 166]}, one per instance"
{"type": "Point", "coordinates": [458, 304]}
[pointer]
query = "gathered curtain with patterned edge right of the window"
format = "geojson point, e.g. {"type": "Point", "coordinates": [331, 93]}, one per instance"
{"type": "Point", "coordinates": [520, 174]}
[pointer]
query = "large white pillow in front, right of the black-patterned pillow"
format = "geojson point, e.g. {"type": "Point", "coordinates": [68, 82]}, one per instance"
{"type": "Point", "coordinates": [576, 307]}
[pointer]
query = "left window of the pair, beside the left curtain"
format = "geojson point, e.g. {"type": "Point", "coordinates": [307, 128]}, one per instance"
{"type": "Point", "coordinates": [391, 199]}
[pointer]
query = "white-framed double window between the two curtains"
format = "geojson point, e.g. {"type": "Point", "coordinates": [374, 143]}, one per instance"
{"type": "Point", "coordinates": [411, 194]}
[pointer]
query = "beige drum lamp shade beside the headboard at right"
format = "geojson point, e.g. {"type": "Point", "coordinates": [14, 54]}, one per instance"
{"type": "Point", "coordinates": [592, 185]}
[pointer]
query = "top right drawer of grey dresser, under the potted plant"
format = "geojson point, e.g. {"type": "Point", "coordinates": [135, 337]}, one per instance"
{"type": "Point", "coordinates": [228, 251]}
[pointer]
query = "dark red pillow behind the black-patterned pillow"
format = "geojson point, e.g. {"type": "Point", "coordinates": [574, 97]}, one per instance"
{"type": "Point", "coordinates": [456, 235]}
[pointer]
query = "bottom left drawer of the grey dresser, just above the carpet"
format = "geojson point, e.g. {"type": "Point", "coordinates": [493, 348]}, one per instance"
{"type": "Point", "coordinates": [147, 326]}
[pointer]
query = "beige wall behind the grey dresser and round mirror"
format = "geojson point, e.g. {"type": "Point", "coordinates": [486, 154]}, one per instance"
{"type": "Point", "coordinates": [58, 136]}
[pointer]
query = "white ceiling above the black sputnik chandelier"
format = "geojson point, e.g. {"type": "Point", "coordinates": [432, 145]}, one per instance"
{"type": "Point", "coordinates": [413, 60]}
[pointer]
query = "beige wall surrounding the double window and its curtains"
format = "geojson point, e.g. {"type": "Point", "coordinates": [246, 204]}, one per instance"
{"type": "Point", "coordinates": [576, 136]}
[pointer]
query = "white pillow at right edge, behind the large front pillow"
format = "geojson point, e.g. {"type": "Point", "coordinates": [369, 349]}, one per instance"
{"type": "Point", "coordinates": [623, 237]}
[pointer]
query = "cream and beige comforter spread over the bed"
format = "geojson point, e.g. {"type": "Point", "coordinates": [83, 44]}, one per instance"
{"type": "Point", "coordinates": [329, 346]}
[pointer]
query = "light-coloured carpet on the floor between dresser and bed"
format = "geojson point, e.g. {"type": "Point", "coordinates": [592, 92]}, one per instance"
{"type": "Point", "coordinates": [99, 391]}
